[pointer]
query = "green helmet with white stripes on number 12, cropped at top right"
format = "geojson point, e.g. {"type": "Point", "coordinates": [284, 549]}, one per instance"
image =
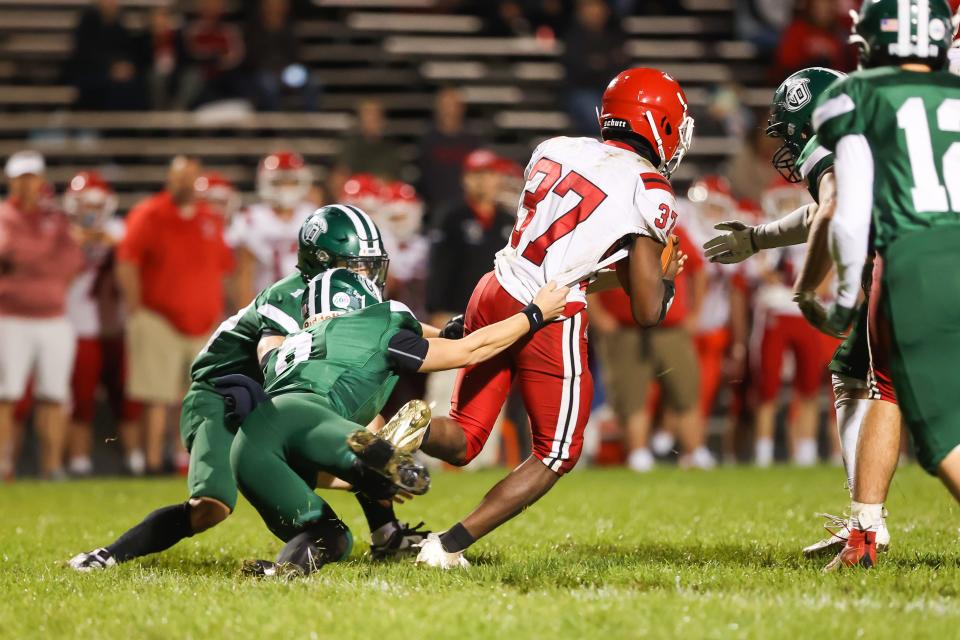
{"type": "Point", "coordinates": [893, 31]}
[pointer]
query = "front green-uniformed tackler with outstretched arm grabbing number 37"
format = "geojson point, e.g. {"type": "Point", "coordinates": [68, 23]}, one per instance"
{"type": "Point", "coordinates": [328, 380]}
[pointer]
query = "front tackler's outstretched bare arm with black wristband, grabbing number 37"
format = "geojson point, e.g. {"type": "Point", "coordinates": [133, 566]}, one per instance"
{"type": "Point", "coordinates": [411, 352]}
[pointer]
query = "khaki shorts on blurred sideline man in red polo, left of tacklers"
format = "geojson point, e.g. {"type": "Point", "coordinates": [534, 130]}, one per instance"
{"type": "Point", "coordinates": [159, 358]}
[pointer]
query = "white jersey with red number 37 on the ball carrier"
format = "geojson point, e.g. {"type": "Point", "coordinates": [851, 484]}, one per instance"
{"type": "Point", "coordinates": [582, 198]}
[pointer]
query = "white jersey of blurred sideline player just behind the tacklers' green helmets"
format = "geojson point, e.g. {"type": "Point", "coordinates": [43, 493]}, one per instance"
{"type": "Point", "coordinates": [272, 241]}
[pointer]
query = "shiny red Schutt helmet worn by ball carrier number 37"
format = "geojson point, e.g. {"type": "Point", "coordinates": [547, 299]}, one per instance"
{"type": "Point", "coordinates": [652, 105]}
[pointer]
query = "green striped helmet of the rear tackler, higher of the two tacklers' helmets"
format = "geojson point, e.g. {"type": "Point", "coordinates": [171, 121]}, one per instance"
{"type": "Point", "coordinates": [339, 235]}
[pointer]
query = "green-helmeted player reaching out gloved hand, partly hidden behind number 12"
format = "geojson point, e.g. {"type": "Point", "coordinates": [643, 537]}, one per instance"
{"type": "Point", "coordinates": [803, 158]}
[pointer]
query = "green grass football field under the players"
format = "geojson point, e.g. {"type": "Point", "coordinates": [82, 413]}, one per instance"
{"type": "Point", "coordinates": [607, 554]}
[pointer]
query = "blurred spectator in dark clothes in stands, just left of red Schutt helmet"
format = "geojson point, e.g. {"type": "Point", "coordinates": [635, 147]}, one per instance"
{"type": "Point", "coordinates": [593, 54]}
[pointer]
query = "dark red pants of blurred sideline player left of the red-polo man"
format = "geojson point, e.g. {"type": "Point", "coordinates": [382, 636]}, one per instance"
{"type": "Point", "coordinates": [100, 360]}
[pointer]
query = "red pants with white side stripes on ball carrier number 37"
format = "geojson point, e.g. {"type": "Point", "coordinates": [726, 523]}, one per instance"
{"type": "Point", "coordinates": [551, 368]}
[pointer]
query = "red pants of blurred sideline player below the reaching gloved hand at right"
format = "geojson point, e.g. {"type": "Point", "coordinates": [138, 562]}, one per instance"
{"type": "Point", "coordinates": [811, 353]}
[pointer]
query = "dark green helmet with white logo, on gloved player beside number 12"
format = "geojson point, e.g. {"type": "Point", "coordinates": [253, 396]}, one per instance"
{"type": "Point", "coordinates": [791, 112]}
